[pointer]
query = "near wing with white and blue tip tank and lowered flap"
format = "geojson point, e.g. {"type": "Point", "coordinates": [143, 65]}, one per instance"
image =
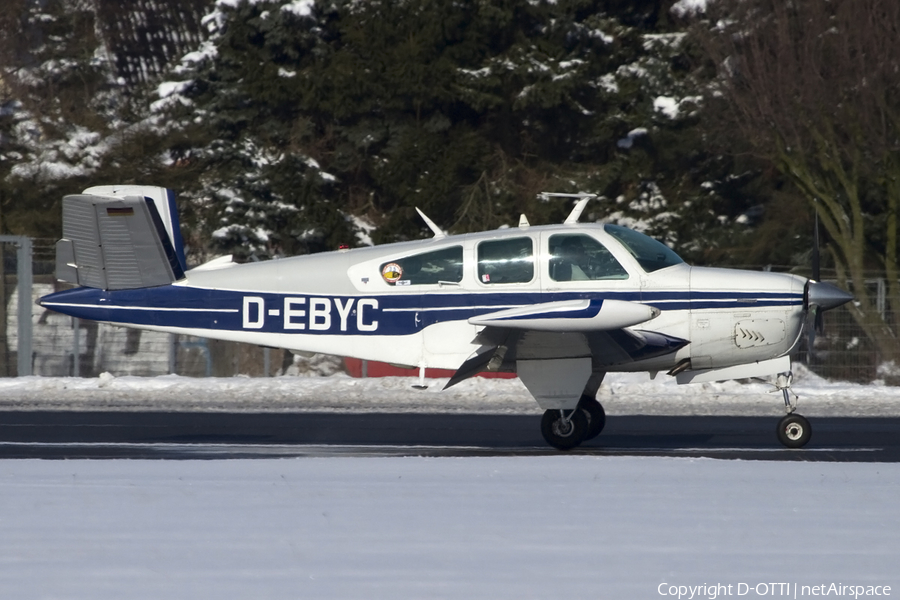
{"type": "Point", "coordinates": [599, 329]}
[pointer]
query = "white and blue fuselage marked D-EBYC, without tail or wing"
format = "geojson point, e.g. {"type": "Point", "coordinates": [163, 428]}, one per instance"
{"type": "Point", "coordinates": [342, 303]}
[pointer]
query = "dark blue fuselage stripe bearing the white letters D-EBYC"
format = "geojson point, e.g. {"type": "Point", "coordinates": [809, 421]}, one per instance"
{"type": "Point", "coordinates": [377, 314]}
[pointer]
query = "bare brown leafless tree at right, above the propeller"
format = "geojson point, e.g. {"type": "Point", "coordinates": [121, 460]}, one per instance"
{"type": "Point", "coordinates": [813, 87]}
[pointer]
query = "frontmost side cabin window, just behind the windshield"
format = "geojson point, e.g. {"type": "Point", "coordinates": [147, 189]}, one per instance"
{"type": "Point", "coordinates": [582, 258]}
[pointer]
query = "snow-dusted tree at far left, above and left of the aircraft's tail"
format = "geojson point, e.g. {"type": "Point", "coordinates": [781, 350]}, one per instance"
{"type": "Point", "coordinates": [49, 71]}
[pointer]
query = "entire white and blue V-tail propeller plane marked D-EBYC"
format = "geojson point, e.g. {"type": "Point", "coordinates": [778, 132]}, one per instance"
{"type": "Point", "coordinates": [559, 305]}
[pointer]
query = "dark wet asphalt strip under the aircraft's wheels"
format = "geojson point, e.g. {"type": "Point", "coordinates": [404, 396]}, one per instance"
{"type": "Point", "coordinates": [193, 435]}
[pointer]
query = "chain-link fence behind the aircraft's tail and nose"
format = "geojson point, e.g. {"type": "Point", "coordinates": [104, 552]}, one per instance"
{"type": "Point", "coordinates": [63, 346]}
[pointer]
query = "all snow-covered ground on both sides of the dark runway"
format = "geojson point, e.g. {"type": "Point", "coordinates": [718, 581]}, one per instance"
{"type": "Point", "coordinates": [495, 527]}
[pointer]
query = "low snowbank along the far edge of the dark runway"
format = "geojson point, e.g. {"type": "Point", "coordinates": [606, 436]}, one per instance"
{"type": "Point", "coordinates": [621, 394]}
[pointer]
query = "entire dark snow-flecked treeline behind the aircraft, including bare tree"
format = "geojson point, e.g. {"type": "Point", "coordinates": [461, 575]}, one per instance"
{"type": "Point", "coordinates": [293, 126]}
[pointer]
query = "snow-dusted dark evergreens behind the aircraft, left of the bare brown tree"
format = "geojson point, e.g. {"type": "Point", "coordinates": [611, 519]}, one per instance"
{"type": "Point", "coordinates": [298, 125]}
